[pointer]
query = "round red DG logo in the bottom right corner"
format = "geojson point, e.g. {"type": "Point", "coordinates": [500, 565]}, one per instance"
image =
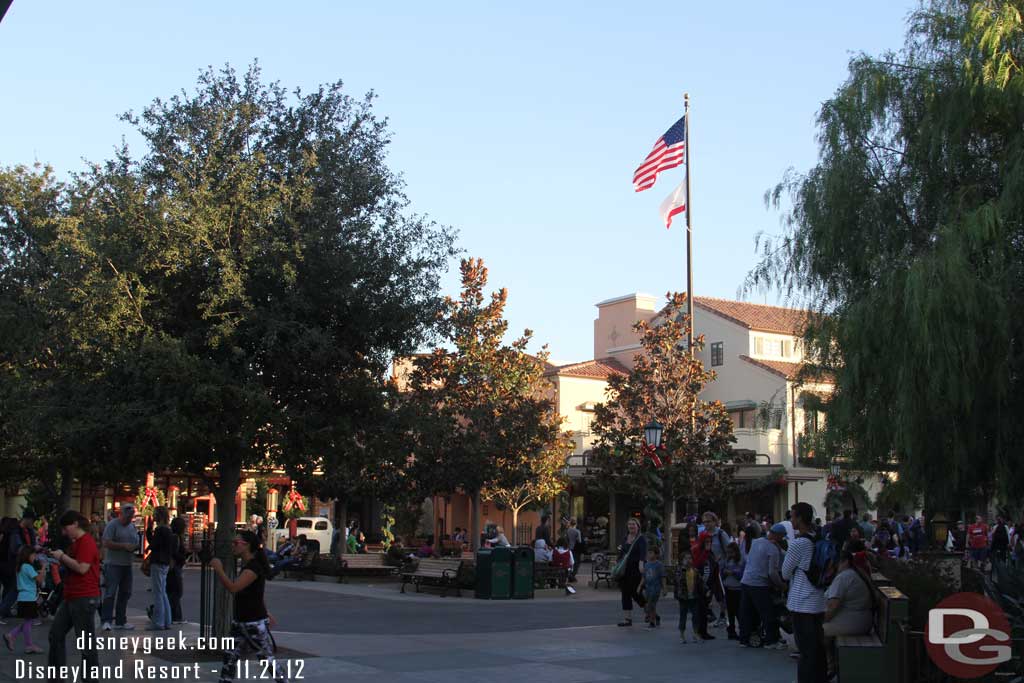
{"type": "Point", "coordinates": [965, 646]}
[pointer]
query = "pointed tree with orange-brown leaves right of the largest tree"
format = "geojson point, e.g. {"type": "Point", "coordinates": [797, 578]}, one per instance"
{"type": "Point", "coordinates": [488, 422]}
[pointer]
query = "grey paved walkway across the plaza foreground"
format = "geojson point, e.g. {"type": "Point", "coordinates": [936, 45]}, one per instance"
{"type": "Point", "coordinates": [419, 648]}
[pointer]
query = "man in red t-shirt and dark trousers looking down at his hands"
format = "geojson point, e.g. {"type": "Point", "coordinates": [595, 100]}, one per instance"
{"type": "Point", "coordinates": [81, 594]}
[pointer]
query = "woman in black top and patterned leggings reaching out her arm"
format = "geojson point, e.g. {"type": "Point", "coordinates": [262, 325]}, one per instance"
{"type": "Point", "coordinates": [251, 623]}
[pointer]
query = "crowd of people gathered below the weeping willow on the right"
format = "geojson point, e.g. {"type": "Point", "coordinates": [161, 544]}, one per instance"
{"type": "Point", "coordinates": [809, 579]}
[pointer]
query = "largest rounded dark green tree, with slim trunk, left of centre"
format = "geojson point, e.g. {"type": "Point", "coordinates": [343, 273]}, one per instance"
{"type": "Point", "coordinates": [273, 262]}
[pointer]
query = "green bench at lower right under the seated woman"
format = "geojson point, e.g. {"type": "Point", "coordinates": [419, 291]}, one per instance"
{"type": "Point", "coordinates": [876, 658]}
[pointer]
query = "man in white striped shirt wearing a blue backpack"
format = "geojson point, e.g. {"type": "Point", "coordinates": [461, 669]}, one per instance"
{"type": "Point", "coordinates": [808, 567]}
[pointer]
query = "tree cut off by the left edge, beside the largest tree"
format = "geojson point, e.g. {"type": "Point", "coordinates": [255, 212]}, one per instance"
{"type": "Point", "coordinates": [66, 316]}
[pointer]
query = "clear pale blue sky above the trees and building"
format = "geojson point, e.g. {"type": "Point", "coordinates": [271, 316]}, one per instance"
{"type": "Point", "coordinates": [518, 123]}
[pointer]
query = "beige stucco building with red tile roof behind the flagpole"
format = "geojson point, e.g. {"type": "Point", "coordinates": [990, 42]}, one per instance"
{"type": "Point", "coordinates": [756, 353]}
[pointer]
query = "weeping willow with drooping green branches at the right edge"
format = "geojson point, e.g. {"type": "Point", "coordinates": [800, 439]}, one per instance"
{"type": "Point", "coordinates": [907, 241]}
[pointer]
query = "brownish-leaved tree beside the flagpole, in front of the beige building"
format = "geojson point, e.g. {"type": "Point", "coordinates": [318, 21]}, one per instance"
{"type": "Point", "coordinates": [665, 386]}
